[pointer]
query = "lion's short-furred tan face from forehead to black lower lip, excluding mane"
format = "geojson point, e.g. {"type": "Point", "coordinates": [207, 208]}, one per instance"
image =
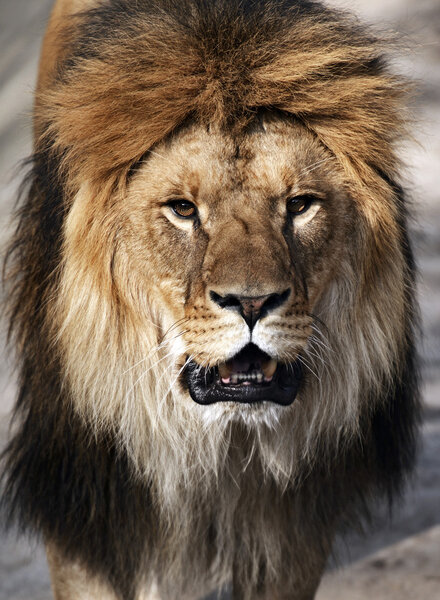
{"type": "Point", "coordinates": [235, 241]}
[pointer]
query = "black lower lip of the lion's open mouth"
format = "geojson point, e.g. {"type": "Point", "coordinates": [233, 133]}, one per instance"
{"type": "Point", "coordinates": [205, 388]}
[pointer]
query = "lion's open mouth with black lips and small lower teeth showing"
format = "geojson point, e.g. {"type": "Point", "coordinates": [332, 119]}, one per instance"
{"type": "Point", "coordinates": [250, 376]}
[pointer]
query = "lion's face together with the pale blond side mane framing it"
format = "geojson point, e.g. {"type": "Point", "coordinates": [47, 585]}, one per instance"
{"type": "Point", "coordinates": [224, 278]}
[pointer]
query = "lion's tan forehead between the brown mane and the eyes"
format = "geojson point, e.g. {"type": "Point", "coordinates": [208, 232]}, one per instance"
{"type": "Point", "coordinates": [218, 168]}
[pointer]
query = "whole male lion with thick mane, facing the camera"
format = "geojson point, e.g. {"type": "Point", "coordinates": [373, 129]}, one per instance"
{"type": "Point", "coordinates": [212, 298]}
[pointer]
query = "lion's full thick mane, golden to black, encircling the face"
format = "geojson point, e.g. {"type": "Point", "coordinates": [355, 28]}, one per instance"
{"type": "Point", "coordinates": [94, 464]}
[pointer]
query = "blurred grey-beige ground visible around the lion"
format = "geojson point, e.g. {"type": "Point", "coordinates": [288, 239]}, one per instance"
{"type": "Point", "coordinates": [398, 560]}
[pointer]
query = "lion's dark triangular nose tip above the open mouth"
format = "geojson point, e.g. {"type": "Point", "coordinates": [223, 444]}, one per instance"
{"type": "Point", "coordinates": [251, 308]}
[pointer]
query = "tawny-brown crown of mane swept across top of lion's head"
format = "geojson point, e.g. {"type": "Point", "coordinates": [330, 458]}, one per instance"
{"type": "Point", "coordinates": [128, 82]}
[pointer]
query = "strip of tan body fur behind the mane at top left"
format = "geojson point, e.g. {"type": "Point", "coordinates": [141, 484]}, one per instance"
{"type": "Point", "coordinates": [54, 44]}
